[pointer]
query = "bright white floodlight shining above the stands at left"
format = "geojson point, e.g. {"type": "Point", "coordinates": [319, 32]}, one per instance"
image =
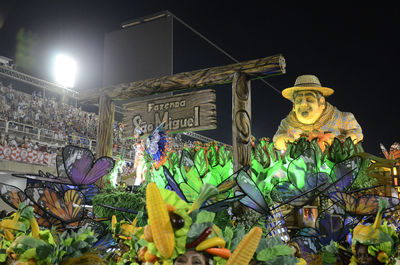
{"type": "Point", "coordinates": [65, 70]}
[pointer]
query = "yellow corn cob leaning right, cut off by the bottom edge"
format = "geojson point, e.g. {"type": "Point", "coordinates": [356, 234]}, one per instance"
{"type": "Point", "coordinates": [246, 248]}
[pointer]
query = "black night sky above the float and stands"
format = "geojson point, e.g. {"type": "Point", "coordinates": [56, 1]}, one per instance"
{"type": "Point", "coordinates": [352, 49]}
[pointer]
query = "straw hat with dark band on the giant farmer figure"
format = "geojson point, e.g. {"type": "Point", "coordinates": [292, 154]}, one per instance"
{"type": "Point", "coordinates": [307, 82]}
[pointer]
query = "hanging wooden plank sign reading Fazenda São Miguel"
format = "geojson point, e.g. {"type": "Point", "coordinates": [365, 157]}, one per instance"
{"type": "Point", "coordinates": [192, 111]}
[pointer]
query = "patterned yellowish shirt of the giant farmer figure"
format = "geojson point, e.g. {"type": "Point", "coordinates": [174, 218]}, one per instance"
{"type": "Point", "coordinates": [332, 120]}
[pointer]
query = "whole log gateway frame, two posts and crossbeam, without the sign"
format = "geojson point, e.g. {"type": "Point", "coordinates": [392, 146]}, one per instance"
{"type": "Point", "coordinates": [239, 74]}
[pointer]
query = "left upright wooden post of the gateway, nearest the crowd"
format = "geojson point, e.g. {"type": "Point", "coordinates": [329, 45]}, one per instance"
{"type": "Point", "coordinates": [105, 129]}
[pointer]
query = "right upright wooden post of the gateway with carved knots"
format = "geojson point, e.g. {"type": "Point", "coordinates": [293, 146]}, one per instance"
{"type": "Point", "coordinates": [241, 121]}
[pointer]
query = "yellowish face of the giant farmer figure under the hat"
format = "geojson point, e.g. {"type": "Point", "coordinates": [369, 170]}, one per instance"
{"type": "Point", "coordinates": [307, 107]}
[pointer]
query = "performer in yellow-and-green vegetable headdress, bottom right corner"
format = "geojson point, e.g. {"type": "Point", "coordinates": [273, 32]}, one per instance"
{"type": "Point", "coordinates": [376, 243]}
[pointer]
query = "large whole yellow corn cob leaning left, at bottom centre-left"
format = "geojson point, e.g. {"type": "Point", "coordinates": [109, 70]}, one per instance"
{"type": "Point", "coordinates": [161, 227]}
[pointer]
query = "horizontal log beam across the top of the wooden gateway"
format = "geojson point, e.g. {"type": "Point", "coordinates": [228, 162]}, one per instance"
{"type": "Point", "coordinates": [258, 68]}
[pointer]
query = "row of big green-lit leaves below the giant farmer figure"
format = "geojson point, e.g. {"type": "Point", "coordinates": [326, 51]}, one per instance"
{"type": "Point", "coordinates": [268, 166]}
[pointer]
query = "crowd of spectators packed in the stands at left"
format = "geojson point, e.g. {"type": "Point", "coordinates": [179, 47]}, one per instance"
{"type": "Point", "coordinates": [59, 122]}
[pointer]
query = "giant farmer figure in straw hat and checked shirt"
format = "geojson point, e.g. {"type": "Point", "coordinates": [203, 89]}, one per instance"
{"type": "Point", "coordinates": [312, 115]}
